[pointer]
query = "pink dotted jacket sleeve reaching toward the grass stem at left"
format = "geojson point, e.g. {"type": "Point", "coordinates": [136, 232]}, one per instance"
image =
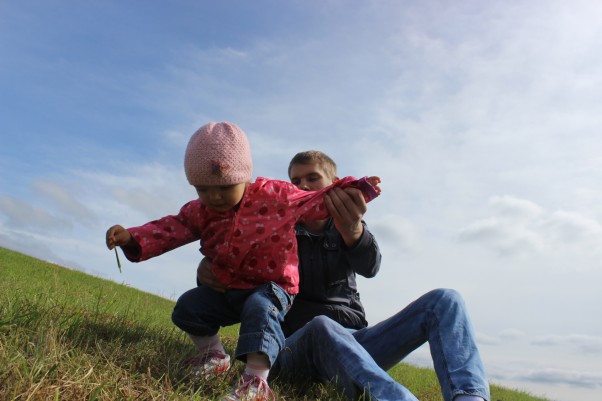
{"type": "Point", "coordinates": [165, 234]}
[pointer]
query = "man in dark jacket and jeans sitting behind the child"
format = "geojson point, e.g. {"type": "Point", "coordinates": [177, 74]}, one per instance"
{"type": "Point", "coordinates": [327, 335]}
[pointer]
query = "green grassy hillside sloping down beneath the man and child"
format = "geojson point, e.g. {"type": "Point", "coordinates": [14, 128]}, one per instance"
{"type": "Point", "coordinates": [66, 335]}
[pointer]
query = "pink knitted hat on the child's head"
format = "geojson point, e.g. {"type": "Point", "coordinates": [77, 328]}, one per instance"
{"type": "Point", "coordinates": [218, 154]}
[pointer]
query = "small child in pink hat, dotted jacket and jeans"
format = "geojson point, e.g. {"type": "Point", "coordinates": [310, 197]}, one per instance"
{"type": "Point", "coordinates": [247, 230]}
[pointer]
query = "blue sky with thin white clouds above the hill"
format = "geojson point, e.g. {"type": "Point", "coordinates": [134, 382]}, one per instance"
{"type": "Point", "coordinates": [482, 119]}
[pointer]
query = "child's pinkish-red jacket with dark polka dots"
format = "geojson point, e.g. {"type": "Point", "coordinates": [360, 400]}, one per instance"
{"type": "Point", "coordinates": [251, 244]}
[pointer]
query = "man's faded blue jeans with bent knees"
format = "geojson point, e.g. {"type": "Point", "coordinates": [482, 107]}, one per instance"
{"type": "Point", "coordinates": [357, 360]}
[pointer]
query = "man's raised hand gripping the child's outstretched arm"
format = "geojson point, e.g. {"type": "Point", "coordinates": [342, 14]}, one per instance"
{"type": "Point", "coordinates": [347, 207]}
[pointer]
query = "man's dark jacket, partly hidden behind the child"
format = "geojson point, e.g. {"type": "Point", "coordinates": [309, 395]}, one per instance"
{"type": "Point", "coordinates": [327, 270]}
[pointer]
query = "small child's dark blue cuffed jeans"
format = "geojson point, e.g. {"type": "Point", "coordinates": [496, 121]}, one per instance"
{"type": "Point", "coordinates": [260, 311]}
